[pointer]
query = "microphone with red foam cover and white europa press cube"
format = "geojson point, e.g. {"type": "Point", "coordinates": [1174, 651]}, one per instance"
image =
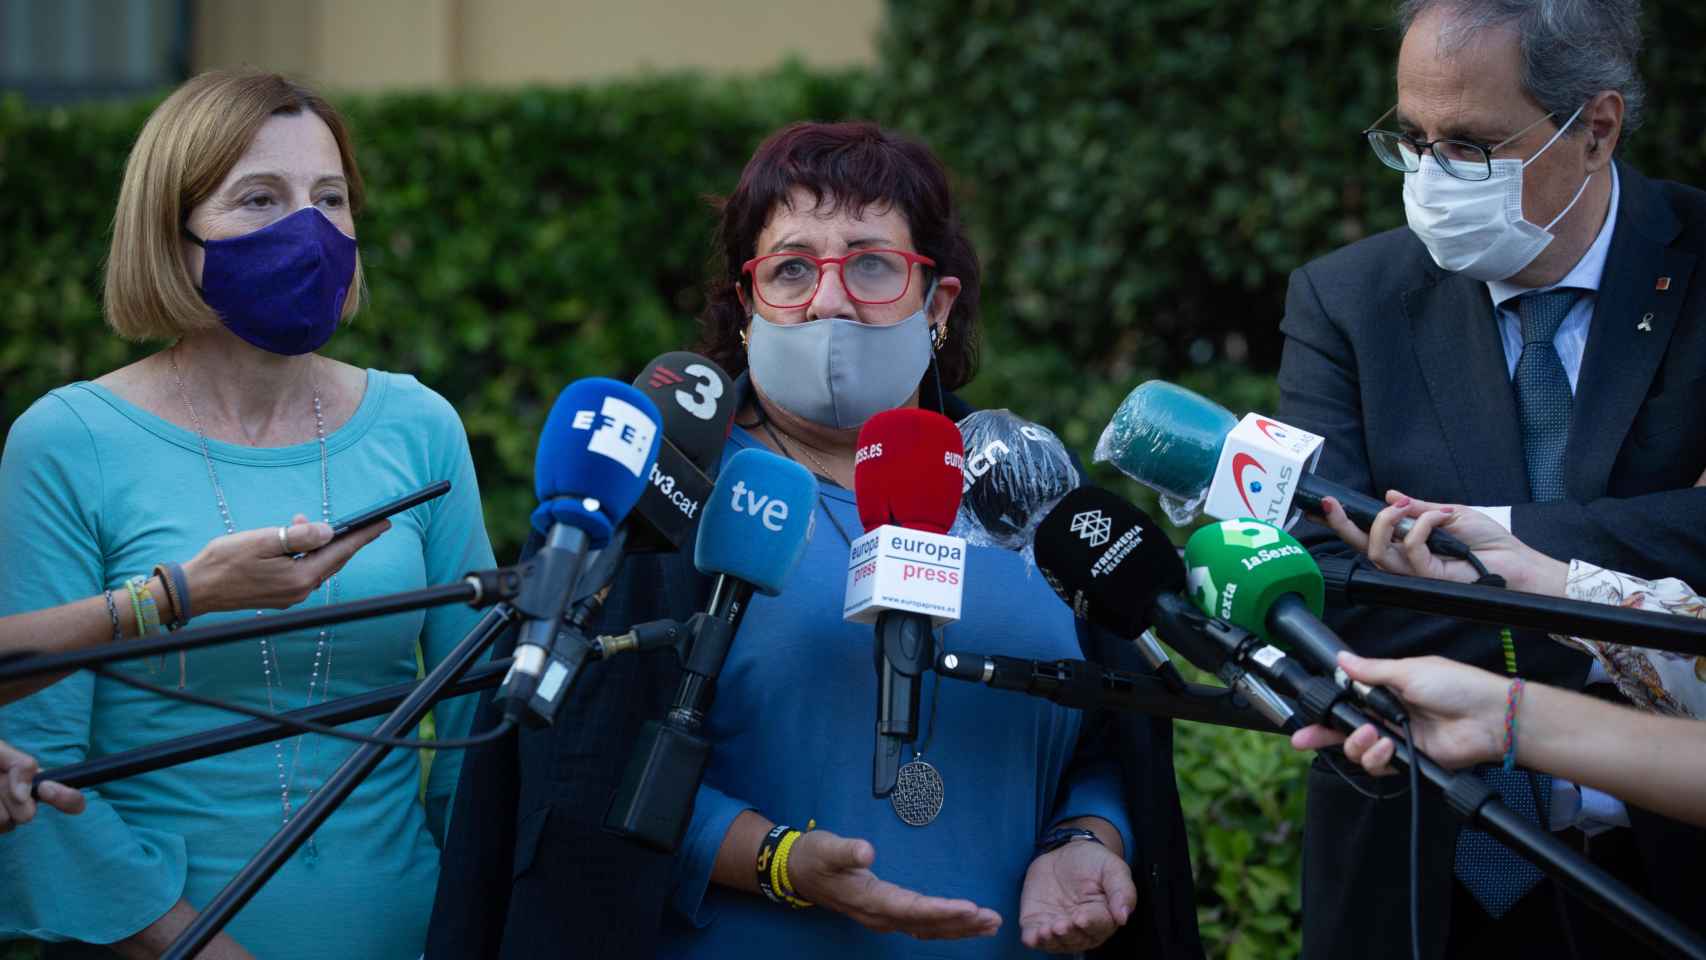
{"type": "Point", "coordinates": [905, 577]}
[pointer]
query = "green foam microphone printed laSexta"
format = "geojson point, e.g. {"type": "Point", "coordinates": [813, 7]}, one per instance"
{"type": "Point", "coordinates": [1258, 577]}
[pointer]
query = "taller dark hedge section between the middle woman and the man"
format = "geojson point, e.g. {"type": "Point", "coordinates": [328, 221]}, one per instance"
{"type": "Point", "coordinates": [1146, 175]}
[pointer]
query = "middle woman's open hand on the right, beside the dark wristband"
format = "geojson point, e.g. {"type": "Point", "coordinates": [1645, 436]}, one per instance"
{"type": "Point", "coordinates": [1076, 898]}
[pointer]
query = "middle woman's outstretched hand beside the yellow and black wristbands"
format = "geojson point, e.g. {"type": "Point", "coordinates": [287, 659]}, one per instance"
{"type": "Point", "coordinates": [835, 874]}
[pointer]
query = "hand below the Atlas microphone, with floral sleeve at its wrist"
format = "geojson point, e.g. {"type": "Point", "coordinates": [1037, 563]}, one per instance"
{"type": "Point", "coordinates": [1523, 567]}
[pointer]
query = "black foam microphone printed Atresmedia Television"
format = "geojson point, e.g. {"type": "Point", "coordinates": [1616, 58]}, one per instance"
{"type": "Point", "coordinates": [1110, 562]}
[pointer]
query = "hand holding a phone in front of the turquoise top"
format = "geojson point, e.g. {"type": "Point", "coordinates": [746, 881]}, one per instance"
{"type": "Point", "coordinates": [253, 570]}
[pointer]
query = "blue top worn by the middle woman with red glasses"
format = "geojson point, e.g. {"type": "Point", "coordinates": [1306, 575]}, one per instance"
{"type": "Point", "coordinates": [792, 734]}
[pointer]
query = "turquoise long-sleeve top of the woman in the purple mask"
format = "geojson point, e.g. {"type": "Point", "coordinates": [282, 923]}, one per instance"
{"type": "Point", "coordinates": [96, 490]}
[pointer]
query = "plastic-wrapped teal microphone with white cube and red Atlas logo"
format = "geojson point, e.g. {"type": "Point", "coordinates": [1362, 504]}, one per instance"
{"type": "Point", "coordinates": [1171, 441]}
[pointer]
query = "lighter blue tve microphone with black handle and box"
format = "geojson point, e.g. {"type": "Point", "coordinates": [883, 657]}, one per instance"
{"type": "Point", "coordinates": [751, 538]}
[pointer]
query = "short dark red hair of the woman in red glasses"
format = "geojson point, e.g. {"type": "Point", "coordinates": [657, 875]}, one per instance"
{"type": "Point", "coordinates": [861, 166]}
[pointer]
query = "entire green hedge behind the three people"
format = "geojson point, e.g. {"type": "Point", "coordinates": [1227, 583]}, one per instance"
{"type": "Point", "coordinates": [1140, 178]}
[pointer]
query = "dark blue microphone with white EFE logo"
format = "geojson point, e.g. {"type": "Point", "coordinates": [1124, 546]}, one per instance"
{"type": "Point", "coordinates": [596, 451]}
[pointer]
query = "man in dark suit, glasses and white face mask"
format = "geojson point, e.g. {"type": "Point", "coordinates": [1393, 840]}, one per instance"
{"type": "Point", "coordinates": [1535, 344]}
